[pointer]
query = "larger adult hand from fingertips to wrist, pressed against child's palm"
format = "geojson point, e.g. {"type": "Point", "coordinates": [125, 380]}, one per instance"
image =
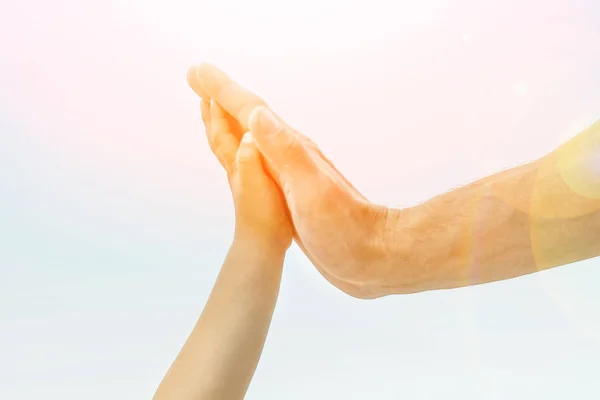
{"type": "Point", "coordinates": [339, 230]}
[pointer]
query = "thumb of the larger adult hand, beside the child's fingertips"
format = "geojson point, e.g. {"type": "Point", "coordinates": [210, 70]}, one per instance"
{"type": "Point", "coordinates": [279, 144]}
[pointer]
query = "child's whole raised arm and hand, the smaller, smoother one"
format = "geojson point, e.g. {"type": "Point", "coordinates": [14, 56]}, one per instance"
{"type": "Point", "coordinates": [220, 356]}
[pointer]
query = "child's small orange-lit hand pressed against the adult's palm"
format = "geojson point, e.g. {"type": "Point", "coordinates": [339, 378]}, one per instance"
{"type": "Point", "coordinates": [261, 214]}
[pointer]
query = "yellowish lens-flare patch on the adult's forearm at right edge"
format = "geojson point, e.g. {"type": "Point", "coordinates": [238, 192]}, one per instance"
{"type": "Point", "coordinates": [565, 205]}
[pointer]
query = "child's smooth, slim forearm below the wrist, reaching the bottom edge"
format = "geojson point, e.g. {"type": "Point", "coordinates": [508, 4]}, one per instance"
{"type": "Point", "coordinates": [220, 356]}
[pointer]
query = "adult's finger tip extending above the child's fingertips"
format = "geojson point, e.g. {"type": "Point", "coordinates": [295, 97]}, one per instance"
{"type": "Point", "coordinates": [235, 99]}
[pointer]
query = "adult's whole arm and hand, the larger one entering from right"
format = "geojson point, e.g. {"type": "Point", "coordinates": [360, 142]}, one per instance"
{"type": "Point", "coordinates": [539, 215]}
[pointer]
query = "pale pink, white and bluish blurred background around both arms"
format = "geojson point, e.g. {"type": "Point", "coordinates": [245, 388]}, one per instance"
{"type": "Point", "coordinates": [115, 217]}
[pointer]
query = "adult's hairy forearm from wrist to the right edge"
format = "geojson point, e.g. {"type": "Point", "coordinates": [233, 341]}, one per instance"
{"type": "Point", "coordinates": [533, 217]}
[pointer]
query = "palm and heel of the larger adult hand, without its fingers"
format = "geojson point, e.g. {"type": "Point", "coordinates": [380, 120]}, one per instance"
{"type": "Point", "coordinates": [336, 226]}
